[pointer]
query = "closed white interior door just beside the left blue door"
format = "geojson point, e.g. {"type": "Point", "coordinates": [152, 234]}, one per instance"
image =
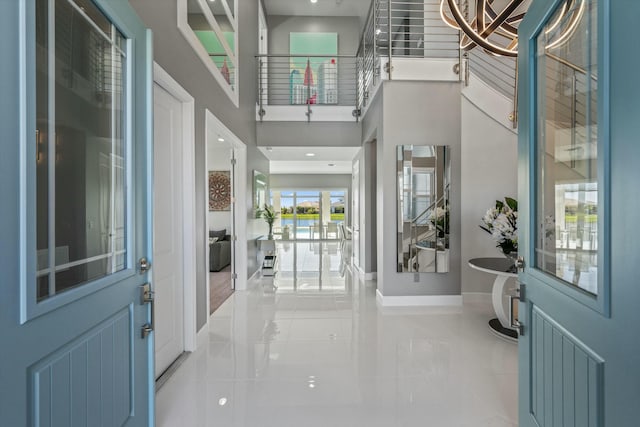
{"type": "Point", "coordinates": [168, 229]}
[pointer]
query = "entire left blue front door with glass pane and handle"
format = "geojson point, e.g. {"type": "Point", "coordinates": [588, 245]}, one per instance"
{"type": "Point", "coordinates": [75, 214]}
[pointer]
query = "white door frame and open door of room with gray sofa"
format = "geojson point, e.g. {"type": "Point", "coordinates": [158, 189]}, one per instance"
{"type": "Point", "coordinates": [213, 126]}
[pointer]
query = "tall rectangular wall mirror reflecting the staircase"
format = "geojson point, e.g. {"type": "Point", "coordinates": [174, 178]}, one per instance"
{"type": "Point", "coordinates": [423, 173]}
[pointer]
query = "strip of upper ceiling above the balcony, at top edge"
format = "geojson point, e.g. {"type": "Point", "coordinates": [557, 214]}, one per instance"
{"type": "Point", "coordinates": [321, 8]}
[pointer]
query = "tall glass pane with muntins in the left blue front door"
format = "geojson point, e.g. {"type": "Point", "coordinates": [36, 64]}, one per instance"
{"type": "Point", "coordinates": [81, 153]}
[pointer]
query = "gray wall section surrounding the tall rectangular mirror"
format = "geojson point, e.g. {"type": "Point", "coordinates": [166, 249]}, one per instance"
{"type": "Point", "coordinates": [421, 113]}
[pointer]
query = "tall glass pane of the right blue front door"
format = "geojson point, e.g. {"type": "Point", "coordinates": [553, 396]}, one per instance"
{"type": "Point", "coordinates": [567, 169]}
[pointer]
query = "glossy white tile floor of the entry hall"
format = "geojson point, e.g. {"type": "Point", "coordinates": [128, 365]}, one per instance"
{"type": "Point", "coordinates": [305, 354]}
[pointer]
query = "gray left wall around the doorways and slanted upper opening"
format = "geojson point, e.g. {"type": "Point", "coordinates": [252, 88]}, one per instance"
{"type": "Point", "coordinates": [177, 57]}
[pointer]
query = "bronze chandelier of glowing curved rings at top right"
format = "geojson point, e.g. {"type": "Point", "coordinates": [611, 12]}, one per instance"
{"type": "Point", "coordinates": [497, 31]}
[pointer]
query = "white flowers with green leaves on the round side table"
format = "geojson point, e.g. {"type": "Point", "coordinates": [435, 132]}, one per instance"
{"type": "Point", "coordinates": [501, 222]}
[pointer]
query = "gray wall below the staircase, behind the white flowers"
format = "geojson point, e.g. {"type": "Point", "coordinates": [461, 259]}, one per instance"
{"type": "Point", "coordinates": [489, 173]}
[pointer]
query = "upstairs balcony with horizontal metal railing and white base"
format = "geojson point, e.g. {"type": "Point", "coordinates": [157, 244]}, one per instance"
{"type": "Point", "coordinates": [401, 40]}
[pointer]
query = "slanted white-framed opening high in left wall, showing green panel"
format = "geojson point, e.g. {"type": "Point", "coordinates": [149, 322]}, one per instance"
{"type": "Point", "coordinates": [221, 52]}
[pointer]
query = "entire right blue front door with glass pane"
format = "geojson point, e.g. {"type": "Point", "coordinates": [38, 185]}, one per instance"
{"type": "Point", "coordinates": [579, 236]}
